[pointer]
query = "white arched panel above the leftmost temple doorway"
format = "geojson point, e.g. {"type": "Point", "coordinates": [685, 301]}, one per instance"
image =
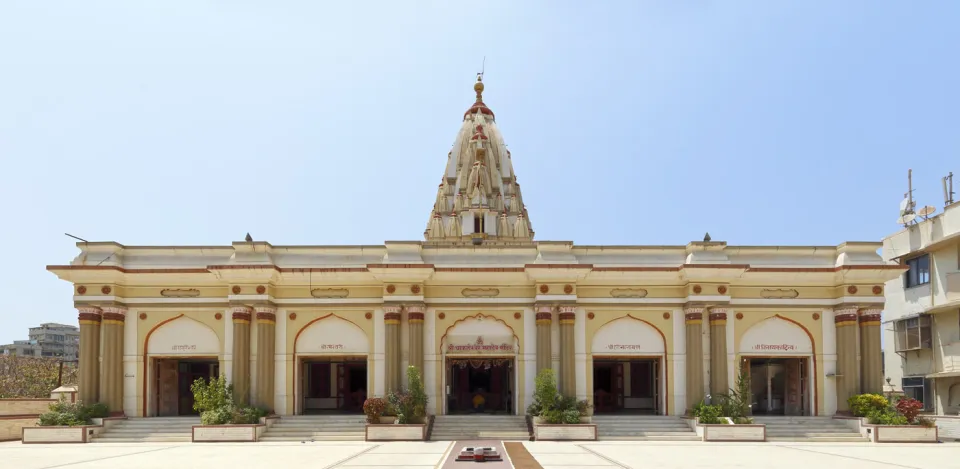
{"type": "Point", "coordinates": [184, 337]}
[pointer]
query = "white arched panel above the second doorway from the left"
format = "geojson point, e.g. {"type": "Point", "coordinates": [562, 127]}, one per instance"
{"type": "Point", "coordinates": [332, 335]}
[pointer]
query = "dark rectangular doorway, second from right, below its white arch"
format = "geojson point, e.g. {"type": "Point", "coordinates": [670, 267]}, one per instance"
{"type": "Point", "coordinates": [626, 386]}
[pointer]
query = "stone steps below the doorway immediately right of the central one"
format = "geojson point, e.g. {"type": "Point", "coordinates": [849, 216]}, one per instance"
{"type": "Point", "coordinates": [643, 427]}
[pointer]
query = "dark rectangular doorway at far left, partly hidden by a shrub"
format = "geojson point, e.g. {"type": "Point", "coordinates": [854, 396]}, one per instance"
{"type": "Point", "coordinates": [173, 380]}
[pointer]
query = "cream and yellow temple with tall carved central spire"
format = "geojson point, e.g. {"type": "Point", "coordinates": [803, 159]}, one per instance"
{"type": "Point", "coordinates": [479, 289]}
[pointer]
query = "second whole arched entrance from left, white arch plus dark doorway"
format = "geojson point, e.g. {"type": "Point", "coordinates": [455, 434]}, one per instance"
{"type": "Point", "coordinates": [332, 373]}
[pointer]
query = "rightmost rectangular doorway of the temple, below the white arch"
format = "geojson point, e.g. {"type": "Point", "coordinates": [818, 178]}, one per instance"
{"type": "Point", "coordinates": [778, 386]}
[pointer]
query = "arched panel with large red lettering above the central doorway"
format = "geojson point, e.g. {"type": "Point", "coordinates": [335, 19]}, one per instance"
{"type": "Point", "coordinates": [480, 335]}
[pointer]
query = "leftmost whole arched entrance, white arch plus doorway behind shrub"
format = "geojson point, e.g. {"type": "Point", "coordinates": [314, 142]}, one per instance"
{"type": "Point", "coordinates": [178, 352]}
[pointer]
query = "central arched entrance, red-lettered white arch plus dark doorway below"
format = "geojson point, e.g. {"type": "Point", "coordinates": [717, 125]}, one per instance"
{"type": "Point", "coordinates": [480, 369]}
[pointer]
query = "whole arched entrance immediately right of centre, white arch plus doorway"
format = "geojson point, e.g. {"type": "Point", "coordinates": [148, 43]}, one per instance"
{"type": "Point", "coordinates": [629, 375]}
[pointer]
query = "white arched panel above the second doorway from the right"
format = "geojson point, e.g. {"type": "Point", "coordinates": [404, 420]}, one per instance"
{"type": "Point", "coordinates": [628, 336]}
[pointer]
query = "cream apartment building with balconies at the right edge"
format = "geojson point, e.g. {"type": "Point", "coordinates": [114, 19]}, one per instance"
{"type": "Point", "coordinates": [927, 368]}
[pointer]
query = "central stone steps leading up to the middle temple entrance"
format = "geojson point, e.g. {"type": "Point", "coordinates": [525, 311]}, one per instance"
{"type": "Point", "coordinates": [480, 427]}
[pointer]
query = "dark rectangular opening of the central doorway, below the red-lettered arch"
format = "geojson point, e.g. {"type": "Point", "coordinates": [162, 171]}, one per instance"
{"type": "Point", "coordinates": [480, 386]}
